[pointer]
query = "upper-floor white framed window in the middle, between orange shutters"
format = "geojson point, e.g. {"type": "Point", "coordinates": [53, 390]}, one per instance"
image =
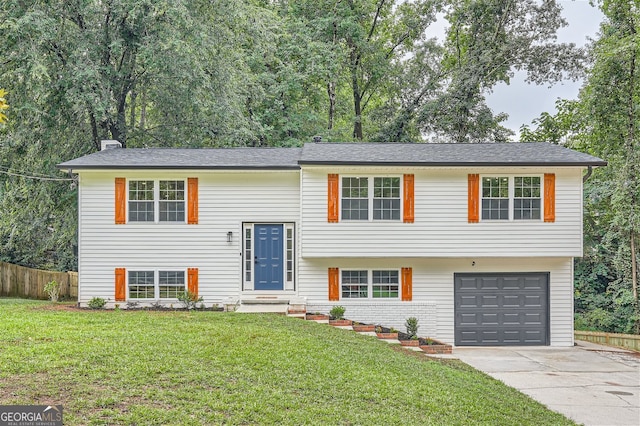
{"type": "Point", "coordinates": [365, 198]}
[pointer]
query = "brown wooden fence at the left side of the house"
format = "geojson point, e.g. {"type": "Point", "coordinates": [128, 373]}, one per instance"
{"type": "Point", "coordinates": [19, 281]}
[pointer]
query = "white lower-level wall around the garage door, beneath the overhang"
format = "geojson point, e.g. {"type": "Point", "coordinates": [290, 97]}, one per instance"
{"type": "Point", "coordinates": [433, 287]}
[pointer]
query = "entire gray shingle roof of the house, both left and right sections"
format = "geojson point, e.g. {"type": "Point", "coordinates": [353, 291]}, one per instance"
{"type": "Point", "coordinates": [322, 153]}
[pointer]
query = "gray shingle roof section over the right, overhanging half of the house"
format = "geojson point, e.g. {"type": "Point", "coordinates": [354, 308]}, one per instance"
{"type": "Point", "coordinates": [428, 154]}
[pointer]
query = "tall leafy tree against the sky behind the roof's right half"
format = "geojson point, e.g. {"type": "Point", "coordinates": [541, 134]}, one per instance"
{"type": "Point", "coordinates": [487, 41]}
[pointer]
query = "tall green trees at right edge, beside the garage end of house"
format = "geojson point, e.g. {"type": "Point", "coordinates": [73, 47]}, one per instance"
{"type": "Point", "coordinates": [604, 121]}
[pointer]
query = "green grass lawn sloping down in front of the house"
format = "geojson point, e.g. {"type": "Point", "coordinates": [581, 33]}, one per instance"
{"type": "Point", "coordinates": [119, 367]}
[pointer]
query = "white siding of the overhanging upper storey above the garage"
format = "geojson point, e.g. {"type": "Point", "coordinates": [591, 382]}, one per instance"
{"type": "Point", "coordinates": [441, 227]}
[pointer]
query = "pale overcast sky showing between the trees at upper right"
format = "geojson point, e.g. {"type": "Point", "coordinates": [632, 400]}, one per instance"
{"type": "Point", "coordinates": [524, 102]}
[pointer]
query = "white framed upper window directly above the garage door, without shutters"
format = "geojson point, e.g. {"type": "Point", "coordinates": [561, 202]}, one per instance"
{"type": "Point", "coordinates": [511, 198]}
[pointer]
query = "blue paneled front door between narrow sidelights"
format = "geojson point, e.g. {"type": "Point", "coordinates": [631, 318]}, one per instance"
{"type": "Point", "coordinates": [268, 258]}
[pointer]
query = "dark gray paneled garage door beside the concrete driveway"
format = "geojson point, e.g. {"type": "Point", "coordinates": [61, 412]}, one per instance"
{"type": "Point", "coordinates": [501, 309]}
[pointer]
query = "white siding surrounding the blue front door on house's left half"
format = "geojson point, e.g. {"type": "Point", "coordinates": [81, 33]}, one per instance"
{"type": "Point", "coordinates": [226, 200]}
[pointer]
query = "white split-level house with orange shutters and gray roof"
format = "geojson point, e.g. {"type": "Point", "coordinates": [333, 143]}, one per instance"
{"type": "Point", "coordinates": [475, 240]}
